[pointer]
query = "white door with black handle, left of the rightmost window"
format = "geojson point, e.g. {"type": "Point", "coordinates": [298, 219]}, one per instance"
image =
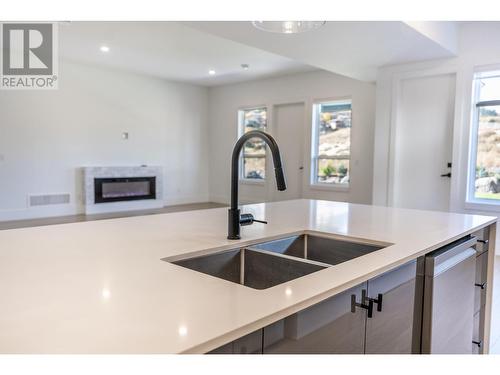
{"type": "Point", "coordinates": [423, 143]}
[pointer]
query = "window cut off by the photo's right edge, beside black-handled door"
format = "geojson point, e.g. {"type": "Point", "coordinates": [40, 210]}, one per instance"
{"type": "Point", "coordinates": [484, 176]}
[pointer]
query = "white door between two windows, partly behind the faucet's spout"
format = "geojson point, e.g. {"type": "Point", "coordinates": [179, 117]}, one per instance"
{"type": "Point", "coordinates": [288, 128]}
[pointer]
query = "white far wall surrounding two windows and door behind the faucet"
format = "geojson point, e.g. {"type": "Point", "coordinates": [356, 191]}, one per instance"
{"type": "Point", "coordinates": [224, 102]}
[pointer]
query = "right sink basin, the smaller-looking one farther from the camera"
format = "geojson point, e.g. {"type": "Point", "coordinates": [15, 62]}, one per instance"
{"type": "Point", "coordinates": [317, 248]}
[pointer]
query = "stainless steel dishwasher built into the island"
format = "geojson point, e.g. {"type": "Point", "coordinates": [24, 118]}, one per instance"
{"type": "Point", "coordinates": [448, 276]}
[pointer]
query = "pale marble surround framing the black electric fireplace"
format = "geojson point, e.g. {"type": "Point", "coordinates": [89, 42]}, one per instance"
{"type": "Point", "coordinates": [90, 173]}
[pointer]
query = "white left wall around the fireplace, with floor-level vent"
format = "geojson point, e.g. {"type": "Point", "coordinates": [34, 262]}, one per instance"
{"type": "Point", "coordinates": [45, 136]}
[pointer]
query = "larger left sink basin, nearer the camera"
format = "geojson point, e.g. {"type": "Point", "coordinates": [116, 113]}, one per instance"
{"type": "Point", "coordinates": [256, 269]}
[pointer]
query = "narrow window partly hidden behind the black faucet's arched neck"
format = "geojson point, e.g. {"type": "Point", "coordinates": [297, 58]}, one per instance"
{"type": "Point", "coordinates": [253, 158]}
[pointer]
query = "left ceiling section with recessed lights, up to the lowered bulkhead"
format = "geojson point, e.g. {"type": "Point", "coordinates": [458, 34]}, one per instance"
{"type": "Point", "coordinates": [170, 50]}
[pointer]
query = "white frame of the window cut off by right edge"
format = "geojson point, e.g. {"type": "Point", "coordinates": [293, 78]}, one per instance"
{"type": "Point", "coordinates": [471, 202]}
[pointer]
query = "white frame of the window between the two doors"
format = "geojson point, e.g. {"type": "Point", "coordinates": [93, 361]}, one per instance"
{"type": "Point", "coordinates": [315, 156]}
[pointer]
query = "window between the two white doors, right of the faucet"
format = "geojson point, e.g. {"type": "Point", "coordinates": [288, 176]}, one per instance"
{"type": "Point", "coordinates": [331, 148]}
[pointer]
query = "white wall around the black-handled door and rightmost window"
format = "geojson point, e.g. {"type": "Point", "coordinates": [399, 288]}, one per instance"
{"type": "Point", "coordinates": [478, 47]}
